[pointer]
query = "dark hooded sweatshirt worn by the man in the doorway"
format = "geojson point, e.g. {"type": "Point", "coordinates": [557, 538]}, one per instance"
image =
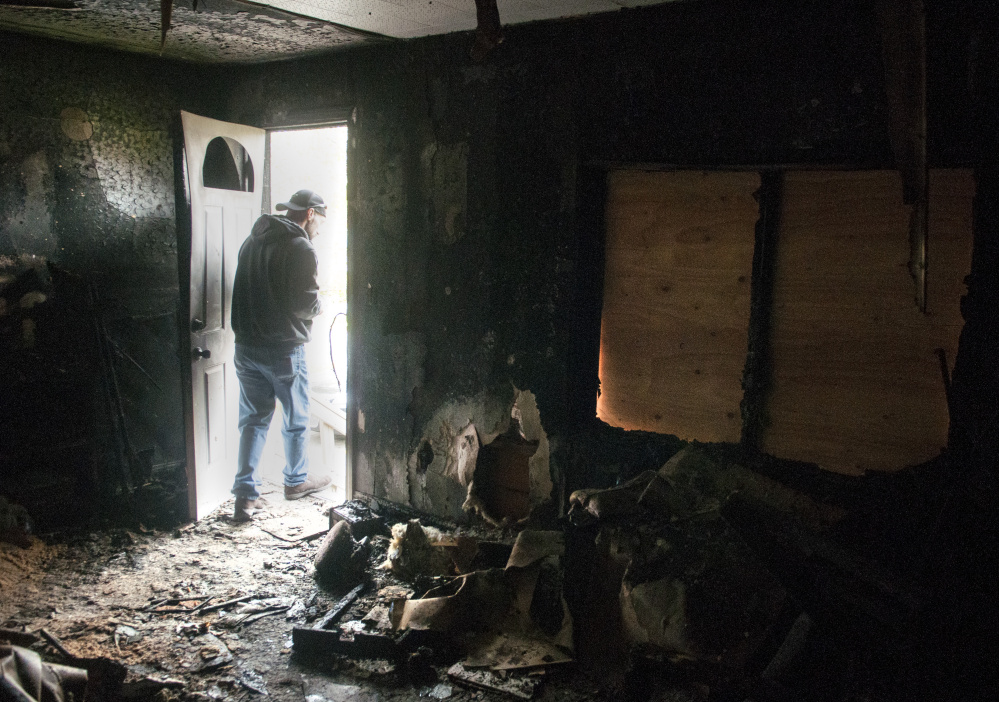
{"type": "Point", "coordinates": [276, 291]}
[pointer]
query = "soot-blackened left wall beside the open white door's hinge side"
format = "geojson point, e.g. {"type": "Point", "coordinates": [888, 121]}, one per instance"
{"type": "Point", "coordinates": [87, 196]}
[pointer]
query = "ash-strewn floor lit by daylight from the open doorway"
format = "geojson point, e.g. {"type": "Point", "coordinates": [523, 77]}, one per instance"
{"type": "Point", "coordinates": [132, 597]}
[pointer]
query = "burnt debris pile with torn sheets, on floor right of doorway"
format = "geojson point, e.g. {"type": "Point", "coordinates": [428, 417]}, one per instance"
{"type": "Point", "coordinates": [490, 624]}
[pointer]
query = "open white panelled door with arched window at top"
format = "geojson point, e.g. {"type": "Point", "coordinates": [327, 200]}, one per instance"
{"type": "Point", "coordinates": [225, 167]}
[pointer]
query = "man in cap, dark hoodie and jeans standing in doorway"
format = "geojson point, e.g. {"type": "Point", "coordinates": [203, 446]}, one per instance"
{"type": "Point", "coordinates": [274, 299]}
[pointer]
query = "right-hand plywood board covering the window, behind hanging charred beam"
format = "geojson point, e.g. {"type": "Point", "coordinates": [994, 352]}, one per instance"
{"type": "Point", "coordinates": [857, 378]}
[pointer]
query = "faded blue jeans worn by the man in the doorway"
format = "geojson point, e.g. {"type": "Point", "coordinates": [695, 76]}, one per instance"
{"type": "Point", "coordinates": [265, 374]}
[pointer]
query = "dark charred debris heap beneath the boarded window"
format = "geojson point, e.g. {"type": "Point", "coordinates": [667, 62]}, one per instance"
{"type": "Point", "coordinates": [689, 587]}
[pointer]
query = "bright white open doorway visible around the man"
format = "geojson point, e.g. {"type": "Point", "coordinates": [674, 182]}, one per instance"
{"type": "Point", "coordinates": [315, 158]}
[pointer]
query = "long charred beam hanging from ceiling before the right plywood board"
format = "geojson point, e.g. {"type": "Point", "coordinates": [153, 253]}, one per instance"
{"type": "Point", "coordinates": [903, 40]}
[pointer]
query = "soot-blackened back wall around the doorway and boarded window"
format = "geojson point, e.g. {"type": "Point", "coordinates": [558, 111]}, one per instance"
{"type": "Point", "coordinates": [476, 192]}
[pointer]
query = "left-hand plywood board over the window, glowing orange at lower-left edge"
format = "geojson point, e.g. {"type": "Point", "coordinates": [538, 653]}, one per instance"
{"type": "Point", "coordinates": [676, 301]}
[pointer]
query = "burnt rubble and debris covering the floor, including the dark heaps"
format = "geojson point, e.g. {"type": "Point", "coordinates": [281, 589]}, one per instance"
{"type": "Point", "coordinates": [699, 581]}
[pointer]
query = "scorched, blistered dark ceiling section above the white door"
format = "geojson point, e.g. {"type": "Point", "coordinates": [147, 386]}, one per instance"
{"type": "Point", "coordinates": [201, 31]}
